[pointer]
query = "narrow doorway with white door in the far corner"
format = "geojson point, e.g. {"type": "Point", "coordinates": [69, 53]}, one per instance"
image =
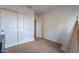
{"type": "Point", "coordinates": [38, 28]}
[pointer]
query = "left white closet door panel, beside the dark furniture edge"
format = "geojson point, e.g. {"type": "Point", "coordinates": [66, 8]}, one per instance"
{"type": "Point", "coordinates": [9, 27]}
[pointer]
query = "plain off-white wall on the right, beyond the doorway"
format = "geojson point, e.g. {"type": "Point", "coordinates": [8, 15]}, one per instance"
{"type": "Point", "coordinates": [59, 23]}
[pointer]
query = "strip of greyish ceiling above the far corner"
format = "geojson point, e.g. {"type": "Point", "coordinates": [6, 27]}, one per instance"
{"type": "Point", "coordinates": [40, 9]}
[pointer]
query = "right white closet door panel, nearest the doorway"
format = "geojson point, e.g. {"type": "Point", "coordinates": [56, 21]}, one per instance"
{"type": "Point", "coordinates": [26, 28]}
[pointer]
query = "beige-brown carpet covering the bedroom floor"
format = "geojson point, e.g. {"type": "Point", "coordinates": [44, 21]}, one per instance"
{"type": "Point", "coordinates": [37, 46]}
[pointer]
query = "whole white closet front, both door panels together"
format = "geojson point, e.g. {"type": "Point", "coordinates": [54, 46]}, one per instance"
{"type": "Point", "coordinates": [16, 27]}
